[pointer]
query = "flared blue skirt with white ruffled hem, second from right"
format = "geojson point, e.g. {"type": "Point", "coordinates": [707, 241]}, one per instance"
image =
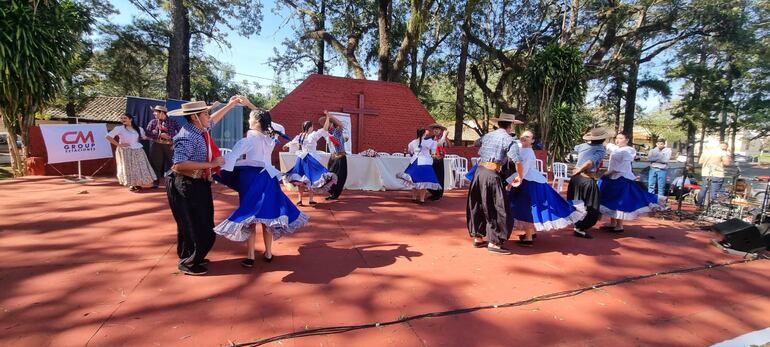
{"type": "Point", "coordinates": [539, 204]}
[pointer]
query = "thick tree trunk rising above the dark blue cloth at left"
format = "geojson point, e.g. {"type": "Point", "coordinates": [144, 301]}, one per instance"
{"type": "Point", "coordinates": [176, 49]}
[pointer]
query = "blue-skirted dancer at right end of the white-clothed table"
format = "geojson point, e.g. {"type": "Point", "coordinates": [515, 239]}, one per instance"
{"type": "Point", "coordinates": [419, 175]}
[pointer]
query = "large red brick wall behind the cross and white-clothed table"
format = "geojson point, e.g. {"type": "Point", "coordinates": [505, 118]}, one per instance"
{"type": "Point", "coordinates": [400, 112]}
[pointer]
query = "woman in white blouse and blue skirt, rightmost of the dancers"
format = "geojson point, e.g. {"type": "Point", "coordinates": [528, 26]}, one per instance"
{"type": "Point", "coordinates": [621, 197]}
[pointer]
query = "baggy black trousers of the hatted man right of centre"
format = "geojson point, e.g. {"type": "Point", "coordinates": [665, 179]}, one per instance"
{"type": "Point", "coordinates": [488, 212]}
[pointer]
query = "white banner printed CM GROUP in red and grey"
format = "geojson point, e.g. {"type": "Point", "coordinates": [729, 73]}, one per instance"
{"type": "Point", "coordinates": [73, 142]}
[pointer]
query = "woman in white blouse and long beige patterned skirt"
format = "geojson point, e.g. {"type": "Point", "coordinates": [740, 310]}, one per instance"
{"type": "Point", "coordinates": [134, 170]}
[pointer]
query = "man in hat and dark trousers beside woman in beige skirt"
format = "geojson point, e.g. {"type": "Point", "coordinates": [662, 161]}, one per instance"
{"type": "Point", "coordinates": [161, 130]}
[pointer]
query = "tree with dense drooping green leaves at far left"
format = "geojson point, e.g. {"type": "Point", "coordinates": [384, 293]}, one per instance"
{"type": "Point", "coordinates": [38, 45]}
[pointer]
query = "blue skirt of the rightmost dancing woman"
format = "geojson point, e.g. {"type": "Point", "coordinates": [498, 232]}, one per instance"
{"type": "Point", "coordinates": [622, 198]}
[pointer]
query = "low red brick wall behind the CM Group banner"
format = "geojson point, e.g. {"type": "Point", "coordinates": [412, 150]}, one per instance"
{"type": "Point", "coordinates": [88, 167]}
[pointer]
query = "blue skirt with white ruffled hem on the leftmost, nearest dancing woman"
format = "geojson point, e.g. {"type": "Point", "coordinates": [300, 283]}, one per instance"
{"type": "Point", "coordinates": [261, 202]}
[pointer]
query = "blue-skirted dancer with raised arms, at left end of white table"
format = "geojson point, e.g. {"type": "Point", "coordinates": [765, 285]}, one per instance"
{"type": "Point", "coordinates": [308, 174]}
